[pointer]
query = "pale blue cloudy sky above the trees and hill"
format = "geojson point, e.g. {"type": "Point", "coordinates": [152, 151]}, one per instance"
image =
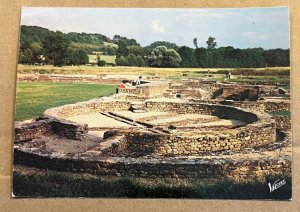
{"type": "Point", "coordinates": [238, 27]}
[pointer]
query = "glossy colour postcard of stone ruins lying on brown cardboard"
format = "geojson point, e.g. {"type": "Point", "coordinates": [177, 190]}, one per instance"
{"type": "Point", "coordinates": [153, 103]}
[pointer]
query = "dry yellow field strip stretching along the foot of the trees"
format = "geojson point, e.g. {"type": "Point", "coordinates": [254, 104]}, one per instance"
{"type": "Point", "coordinates": [258, 75]}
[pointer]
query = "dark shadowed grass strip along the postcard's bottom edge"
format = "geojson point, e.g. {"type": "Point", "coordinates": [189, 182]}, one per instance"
{"type": "Point", "coordinates": [63, 184]}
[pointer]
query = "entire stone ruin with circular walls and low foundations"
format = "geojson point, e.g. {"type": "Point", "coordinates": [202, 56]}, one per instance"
{"type": "Point", "coordinates": [176, 129]}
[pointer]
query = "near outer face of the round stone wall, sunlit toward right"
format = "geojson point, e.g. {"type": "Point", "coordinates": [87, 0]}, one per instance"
{"type": "Point", "coordinates": [137, 144]}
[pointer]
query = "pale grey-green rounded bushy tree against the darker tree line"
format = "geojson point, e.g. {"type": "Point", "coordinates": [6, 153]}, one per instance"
{"type": "Point", "coordinates": [161, 56]}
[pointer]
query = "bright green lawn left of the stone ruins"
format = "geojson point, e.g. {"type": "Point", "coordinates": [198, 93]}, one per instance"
{"type": "Point", "coordinates": [32, 99]}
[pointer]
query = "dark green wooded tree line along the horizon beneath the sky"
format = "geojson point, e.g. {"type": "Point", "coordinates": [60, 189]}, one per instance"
{"type": "Point", "coordinates": [39, 44]}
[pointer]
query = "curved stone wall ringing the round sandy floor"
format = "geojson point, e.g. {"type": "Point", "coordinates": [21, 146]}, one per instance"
{"type": "Point", "coordinates": [260, 129]}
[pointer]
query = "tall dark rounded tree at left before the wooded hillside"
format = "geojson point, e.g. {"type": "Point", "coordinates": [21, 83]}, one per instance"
{"type": "Point", "coordinates": [56, 45]}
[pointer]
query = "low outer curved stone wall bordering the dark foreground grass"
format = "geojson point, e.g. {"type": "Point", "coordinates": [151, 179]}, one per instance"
{"type": "Point", "coordinates": [235, 169]}
